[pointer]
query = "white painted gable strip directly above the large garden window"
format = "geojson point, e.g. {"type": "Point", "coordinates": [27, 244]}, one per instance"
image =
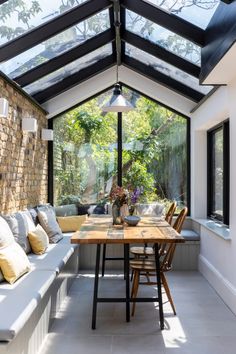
{"type": "Point", "coordinates": [107, 78]}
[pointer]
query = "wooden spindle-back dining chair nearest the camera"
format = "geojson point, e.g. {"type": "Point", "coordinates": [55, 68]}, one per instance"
{"type": "Point", "coordinates": [142, 266]}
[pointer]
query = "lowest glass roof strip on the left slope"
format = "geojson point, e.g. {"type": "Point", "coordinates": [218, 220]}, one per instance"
{"type": "Point", "coordinates": [69, 69]}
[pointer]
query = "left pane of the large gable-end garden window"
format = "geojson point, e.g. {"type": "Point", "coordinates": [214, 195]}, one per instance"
{"type": "Point", "coordinates": [85, 153]}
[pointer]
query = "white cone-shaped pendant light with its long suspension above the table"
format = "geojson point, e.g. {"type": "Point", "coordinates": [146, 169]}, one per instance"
{"type": "Point", "coordinates": [117, 102]}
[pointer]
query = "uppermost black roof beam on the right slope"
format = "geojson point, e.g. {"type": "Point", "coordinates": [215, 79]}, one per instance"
{"type": "Point", "coordinates": [167, 20]}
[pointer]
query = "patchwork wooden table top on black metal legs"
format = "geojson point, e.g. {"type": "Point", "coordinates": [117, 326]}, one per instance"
{"type": "Point", "coordinates": [99, 229]}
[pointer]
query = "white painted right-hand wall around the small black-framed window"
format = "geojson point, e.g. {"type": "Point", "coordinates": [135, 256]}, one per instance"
{"type": "Point", "coordinates": [217, 260]}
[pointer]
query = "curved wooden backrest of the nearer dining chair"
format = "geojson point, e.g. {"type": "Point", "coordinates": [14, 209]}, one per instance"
{"type": "Point", "coordinates": [169, 249]}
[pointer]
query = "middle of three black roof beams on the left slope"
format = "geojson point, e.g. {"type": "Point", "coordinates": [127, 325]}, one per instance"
{"type": "Point", "coordinates": [65, 58]}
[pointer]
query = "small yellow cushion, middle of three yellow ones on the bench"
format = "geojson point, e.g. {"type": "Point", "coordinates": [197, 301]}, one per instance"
{"type": "Point", "coordinates": [38, 240]}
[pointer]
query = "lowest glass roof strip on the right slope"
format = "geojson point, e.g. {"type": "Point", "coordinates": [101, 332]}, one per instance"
{"type": "Point", "coordinates": [165, 68]}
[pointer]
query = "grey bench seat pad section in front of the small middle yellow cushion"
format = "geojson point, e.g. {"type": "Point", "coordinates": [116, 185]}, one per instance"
{"type": "Point", "coordinates": [55, 257]}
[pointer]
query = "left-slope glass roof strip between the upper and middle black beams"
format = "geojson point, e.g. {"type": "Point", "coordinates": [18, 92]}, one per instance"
{"type": "Point", "coordinates": [56, 45]}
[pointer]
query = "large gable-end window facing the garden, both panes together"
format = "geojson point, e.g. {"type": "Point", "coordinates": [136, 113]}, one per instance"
{"type": "Point", "coordinates": [154, 152]}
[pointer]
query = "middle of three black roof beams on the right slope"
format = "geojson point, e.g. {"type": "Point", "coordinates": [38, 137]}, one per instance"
{"type": "Point", "coordinates": [161, 53]}
